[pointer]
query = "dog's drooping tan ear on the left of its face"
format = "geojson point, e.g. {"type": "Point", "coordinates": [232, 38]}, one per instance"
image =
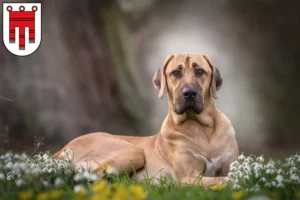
{"type": "Point", "coordinates": [159, 78]}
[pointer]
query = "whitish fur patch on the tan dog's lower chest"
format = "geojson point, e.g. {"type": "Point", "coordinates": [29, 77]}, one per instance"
{"type": "Point", "coordinates": [214, 164]}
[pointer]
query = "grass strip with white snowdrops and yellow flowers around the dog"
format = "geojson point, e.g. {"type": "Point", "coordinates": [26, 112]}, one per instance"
{"type": "Point", "coordinates": [44, 177]}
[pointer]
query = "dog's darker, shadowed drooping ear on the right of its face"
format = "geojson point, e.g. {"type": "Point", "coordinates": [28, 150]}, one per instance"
{"type": "Point", "coordinates": [216, 79]}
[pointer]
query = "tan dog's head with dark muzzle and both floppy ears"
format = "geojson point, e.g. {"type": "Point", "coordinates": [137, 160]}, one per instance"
{"type": "Point", "coordinates": [191, 81]}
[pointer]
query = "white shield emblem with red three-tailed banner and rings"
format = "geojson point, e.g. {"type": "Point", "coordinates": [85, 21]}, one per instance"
{"type": "Point", "coordinates": [22, 27]}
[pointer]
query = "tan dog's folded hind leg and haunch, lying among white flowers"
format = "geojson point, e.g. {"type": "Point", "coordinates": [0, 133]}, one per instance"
{"type": "Point", "coordinates": [93, 151]}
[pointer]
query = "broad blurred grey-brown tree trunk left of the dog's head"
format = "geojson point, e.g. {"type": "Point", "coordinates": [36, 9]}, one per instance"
{"type": "Point", "coordinates": [82, 79]}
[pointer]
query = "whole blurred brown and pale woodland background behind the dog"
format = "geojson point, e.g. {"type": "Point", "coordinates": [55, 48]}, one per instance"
{"type": "Point", "coordinates": [93, 70]}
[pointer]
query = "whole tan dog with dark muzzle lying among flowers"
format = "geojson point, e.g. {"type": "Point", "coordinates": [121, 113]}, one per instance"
{"type": "Point", "coordinates": [195, 138]}
